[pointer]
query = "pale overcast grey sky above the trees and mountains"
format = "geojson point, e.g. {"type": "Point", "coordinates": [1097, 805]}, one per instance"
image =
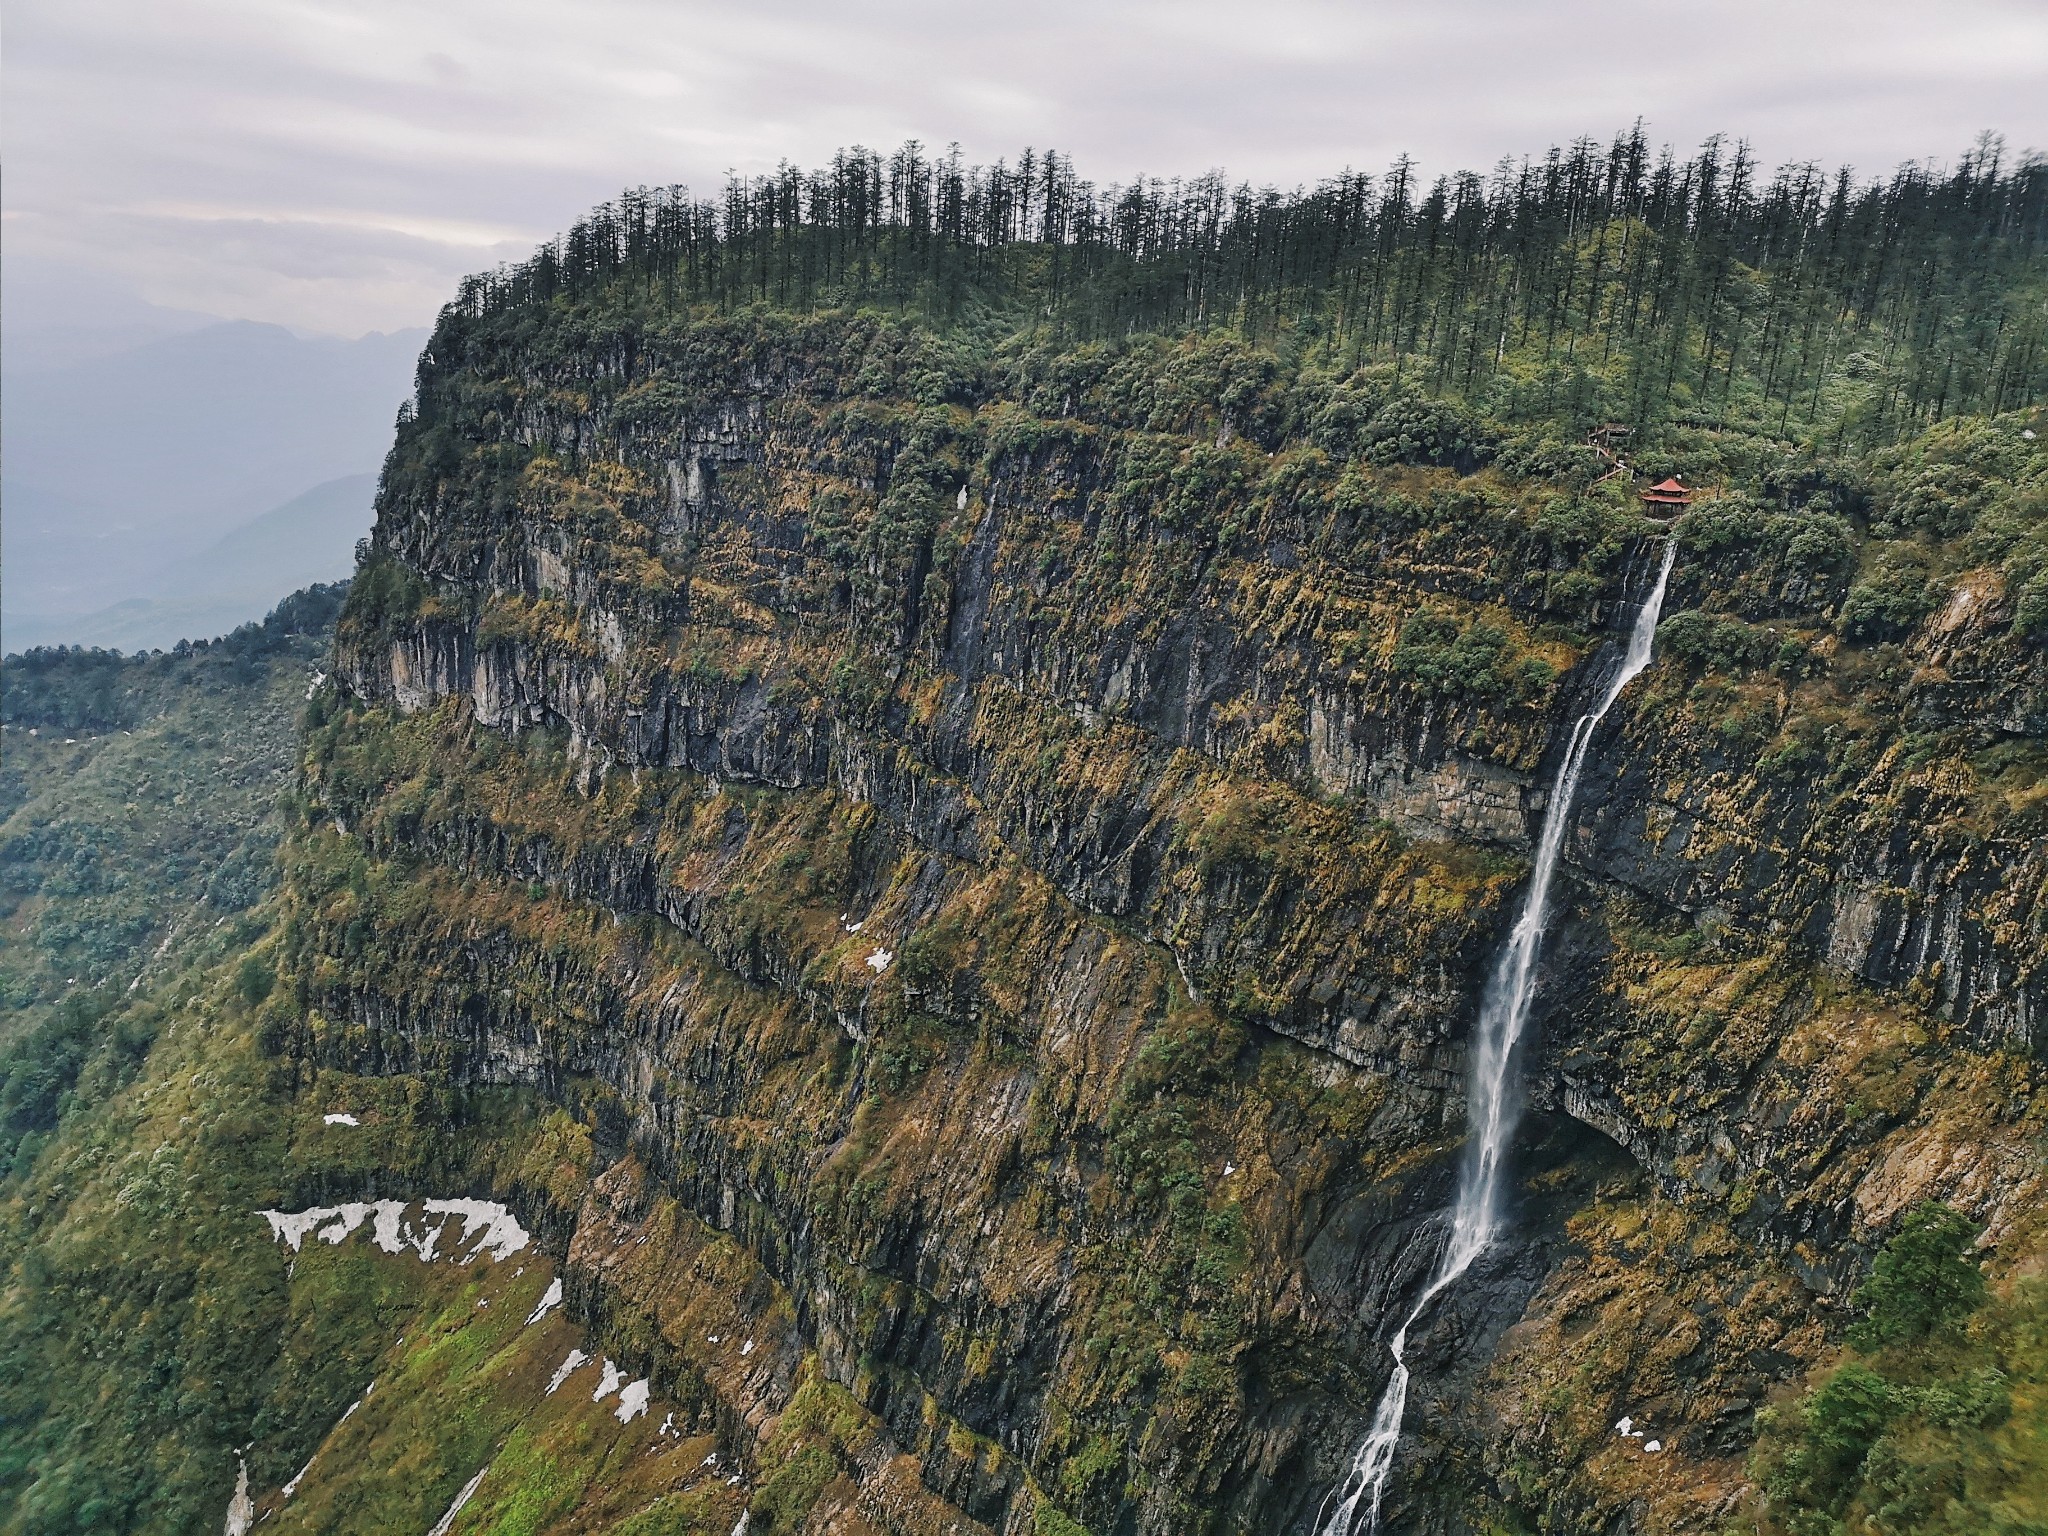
{"type": "Point", "coordinates": [339, 165]}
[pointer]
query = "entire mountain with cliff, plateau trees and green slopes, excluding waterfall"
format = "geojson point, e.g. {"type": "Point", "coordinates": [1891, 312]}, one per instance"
{"type": "Point", "coordinates": [923, 779]}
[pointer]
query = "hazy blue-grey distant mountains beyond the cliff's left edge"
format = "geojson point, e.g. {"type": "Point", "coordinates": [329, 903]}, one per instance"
{"type": "Point", "coordinates": [126, 466]}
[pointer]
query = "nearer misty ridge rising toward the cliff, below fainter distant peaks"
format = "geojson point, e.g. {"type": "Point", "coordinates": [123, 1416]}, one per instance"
{"type": "Point", "coordinates": [243, 577]}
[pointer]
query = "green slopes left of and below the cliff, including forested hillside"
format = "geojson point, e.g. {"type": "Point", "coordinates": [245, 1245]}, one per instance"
{"type": "Point", "coordinates": [159, 1334]}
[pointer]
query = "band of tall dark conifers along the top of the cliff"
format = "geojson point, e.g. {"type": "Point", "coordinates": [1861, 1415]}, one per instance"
{"type": "Point", "coordinates": [1607, 280]}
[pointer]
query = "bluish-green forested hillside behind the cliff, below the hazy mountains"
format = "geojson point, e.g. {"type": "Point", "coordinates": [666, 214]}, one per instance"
{"type": "Point", "coordinates": [140, 802]}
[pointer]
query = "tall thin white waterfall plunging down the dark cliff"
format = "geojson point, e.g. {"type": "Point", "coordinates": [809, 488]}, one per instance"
{"type": "Point", "coordinates": [1492, 1103]}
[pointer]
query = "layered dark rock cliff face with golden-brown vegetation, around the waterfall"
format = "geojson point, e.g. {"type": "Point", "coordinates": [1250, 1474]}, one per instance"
{"type": "Point", "coordinates": [1017, 845]}
